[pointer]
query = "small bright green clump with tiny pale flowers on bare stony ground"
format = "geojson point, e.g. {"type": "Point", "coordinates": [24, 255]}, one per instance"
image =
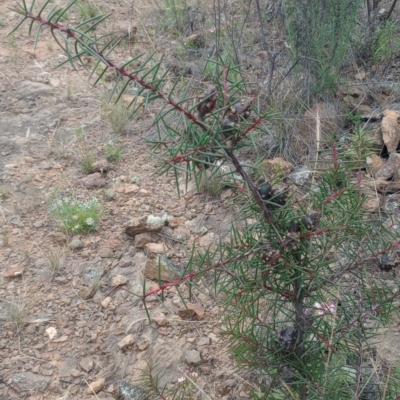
{"type": "Point", "coordinates": [75, 215]}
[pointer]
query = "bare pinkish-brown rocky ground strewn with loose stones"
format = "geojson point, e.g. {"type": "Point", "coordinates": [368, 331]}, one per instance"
{"type": "Point", "coordinates": [70, 327]}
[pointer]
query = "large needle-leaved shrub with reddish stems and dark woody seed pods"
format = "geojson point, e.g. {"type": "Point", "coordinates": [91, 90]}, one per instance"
{"type": "Point", "coordinates": [302, 280]}
